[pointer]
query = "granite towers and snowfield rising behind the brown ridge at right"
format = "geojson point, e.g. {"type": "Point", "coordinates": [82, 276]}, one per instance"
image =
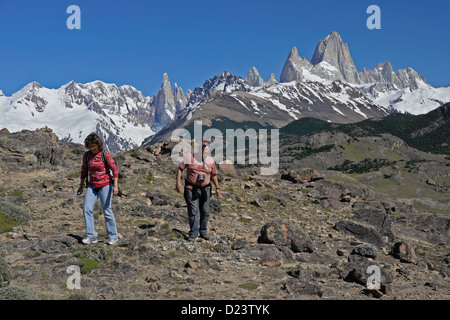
{"type": "Point", "coordinates": [404, 90]}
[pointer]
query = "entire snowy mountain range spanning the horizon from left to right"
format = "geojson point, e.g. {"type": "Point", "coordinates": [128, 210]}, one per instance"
{"type": "Point", "coordinates": [328, 88]}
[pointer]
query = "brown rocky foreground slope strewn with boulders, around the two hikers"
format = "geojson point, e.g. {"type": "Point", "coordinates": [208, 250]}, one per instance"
{"type": "Point", "coordinates": [297, 236]}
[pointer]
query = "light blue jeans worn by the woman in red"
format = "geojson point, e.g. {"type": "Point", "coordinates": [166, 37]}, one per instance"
{"type": "Point", "coordinates": [105, 194]}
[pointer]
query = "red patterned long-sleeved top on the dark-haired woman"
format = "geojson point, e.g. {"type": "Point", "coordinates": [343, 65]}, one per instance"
{"type": "Point", "coordinates": [98, 177]}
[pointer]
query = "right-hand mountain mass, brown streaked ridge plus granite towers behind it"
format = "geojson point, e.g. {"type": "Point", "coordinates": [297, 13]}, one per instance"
{"type": "Point", "coordinates": [328, 87]}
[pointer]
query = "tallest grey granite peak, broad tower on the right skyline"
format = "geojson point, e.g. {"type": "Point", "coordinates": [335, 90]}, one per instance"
{"type": "Point", "coordinates": [335, 52]}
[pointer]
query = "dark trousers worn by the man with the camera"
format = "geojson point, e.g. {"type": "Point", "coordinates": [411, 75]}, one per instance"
{"type": "Point", "coordinates": [198, 205]}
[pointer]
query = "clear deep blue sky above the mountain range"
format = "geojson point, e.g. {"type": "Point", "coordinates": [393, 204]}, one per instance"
{"type": "Point", "coordinates": [135, 42]}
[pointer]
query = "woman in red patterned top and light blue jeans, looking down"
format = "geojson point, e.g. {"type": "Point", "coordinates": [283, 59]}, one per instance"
{"type": "Point", "coordinates": [101, 185]}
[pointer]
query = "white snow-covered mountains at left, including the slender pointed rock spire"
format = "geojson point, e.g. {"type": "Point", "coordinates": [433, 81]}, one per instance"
{"type": "Point", "coordinates": [123, 116]}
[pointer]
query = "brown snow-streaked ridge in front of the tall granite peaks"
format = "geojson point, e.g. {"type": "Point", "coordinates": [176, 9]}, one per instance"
{"type": "Point", "coordinates": [227, 97]}
